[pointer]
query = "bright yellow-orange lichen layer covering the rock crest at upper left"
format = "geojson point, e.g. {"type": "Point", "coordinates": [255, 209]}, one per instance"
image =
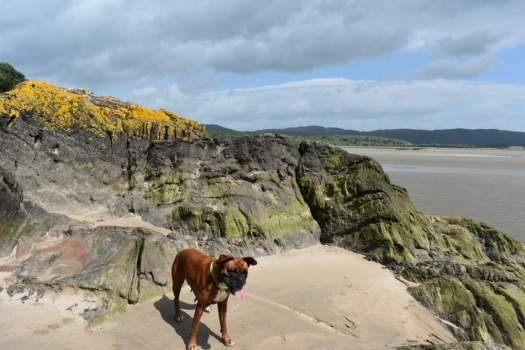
{"type": "Point", "coordinates": [68, 109]}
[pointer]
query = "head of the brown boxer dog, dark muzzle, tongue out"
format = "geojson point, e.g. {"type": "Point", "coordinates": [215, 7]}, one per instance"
{"type": "Point", "coordinates": [234, 271]}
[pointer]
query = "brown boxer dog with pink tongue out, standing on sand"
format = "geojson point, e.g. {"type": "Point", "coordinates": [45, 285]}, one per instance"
{"type": "Point", "coordinates": [212, 281]}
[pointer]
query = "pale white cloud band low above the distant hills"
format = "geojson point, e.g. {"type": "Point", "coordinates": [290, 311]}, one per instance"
{"type": "Point", "coordinates": [361, 105]}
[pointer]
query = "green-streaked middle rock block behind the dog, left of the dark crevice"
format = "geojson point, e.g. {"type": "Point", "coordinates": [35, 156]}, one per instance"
{"type": "Point", "coordinates": [238, 189]}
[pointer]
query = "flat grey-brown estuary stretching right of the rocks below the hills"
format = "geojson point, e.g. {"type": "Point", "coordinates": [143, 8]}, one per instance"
{"type": "Point", "coordinates": [483, 184]}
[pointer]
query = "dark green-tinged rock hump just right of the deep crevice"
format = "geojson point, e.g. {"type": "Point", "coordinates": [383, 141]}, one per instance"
{"type": "Point", "coordinates": [358, 208]}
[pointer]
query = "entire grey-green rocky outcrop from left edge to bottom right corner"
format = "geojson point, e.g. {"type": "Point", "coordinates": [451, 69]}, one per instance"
{"type": "Point", "coordinates": [252, 195]}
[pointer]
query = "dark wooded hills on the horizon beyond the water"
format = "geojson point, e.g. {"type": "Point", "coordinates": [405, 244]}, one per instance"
{"type": "Point", "coordinates": [463, 137]}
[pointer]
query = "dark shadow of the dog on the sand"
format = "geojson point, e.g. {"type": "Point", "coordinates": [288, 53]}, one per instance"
{"type": "Point", "coordinates": [167, 311]}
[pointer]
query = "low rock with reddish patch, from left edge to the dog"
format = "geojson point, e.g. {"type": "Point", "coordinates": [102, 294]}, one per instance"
{"type": "Point", "coordinates": [117, 265]}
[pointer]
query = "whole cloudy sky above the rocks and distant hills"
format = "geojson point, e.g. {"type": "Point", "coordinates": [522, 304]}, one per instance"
{"type": "Point", "coordinates": [251, 65]}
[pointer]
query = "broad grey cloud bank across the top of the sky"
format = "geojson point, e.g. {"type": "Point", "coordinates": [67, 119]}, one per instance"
{"type": "Point", "coordinates": [122, 41]}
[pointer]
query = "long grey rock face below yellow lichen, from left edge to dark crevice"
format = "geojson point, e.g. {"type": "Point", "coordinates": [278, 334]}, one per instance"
{"type": "Point", "coordinates": [241, 190]}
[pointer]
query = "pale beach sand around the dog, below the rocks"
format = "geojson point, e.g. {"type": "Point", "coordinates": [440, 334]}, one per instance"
{"type": "Point", "coordinates": [315, 298]}
